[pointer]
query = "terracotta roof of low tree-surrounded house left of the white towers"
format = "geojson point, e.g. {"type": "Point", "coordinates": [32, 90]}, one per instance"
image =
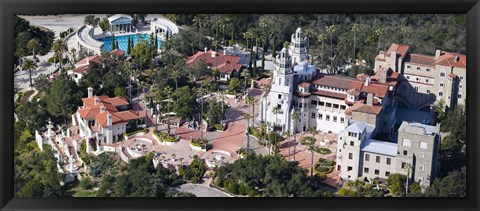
{"type": "Point", "coordinates": [224, 63]}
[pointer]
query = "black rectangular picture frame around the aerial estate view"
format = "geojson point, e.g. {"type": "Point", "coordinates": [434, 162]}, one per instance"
{"type": "Point", "coordinates": [10, 7]}
